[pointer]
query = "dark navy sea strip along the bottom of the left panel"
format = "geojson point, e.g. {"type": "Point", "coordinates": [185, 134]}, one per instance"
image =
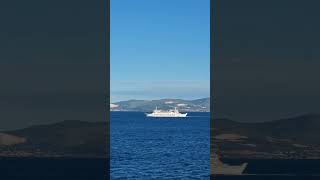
{"type": "Point", "coordinates": [18, 168]}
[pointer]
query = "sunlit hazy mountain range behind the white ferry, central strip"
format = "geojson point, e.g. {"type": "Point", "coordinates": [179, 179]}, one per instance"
{"type": "Point", "coordinates": [198, 105]}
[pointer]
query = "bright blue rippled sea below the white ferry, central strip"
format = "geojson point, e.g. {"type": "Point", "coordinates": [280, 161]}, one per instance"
{"type": "Point", "coordinates": [159, 148]}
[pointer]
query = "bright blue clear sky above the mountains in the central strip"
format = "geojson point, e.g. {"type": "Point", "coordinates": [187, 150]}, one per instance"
{"type": "Point", "coordinates": [159, 49]}
